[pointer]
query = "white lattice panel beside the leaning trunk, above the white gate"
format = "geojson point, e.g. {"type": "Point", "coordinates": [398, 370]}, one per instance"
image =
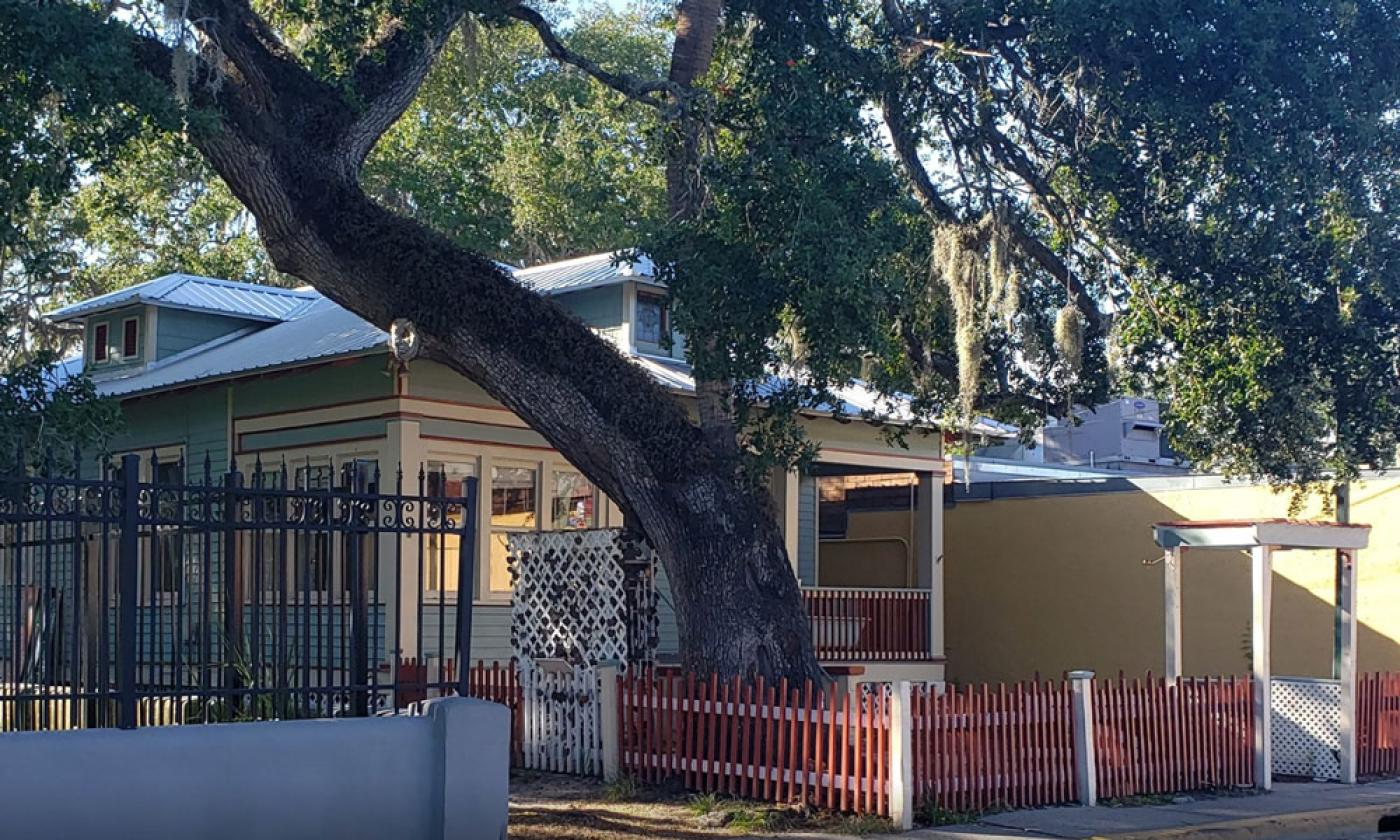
{"type": "Point", "coordinates": [583, 597]}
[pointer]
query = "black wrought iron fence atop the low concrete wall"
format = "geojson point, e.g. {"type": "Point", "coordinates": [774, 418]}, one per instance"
{"type": "Point", "coordinates": [142, 597]}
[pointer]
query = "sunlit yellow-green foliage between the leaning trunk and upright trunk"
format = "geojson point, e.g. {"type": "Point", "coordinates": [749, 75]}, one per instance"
{"type": "Point", "coordinates": [526, 160]}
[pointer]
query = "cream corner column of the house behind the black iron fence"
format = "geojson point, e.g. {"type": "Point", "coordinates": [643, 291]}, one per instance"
{"type": "Point", "coordinates": [405, 451]}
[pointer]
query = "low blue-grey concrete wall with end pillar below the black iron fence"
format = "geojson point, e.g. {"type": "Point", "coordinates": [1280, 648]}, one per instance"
{"type": "Point", "coordinates": [439, 776]}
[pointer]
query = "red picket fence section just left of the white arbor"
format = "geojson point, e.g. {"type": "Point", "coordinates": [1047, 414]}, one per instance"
{"type": "Point", "coordinates": [1154, 737]}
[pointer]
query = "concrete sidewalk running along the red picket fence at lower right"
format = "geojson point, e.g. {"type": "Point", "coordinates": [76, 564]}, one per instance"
{"type": "Point", "coordinates": [1311, 810]}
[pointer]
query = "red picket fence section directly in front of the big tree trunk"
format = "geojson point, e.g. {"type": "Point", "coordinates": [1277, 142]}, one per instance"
{"type": "Point", "coordinates": [759, 741]}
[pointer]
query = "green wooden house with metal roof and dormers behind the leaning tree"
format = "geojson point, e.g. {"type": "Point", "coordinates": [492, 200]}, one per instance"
{"type": "Point", "coordinates": [250, 374]}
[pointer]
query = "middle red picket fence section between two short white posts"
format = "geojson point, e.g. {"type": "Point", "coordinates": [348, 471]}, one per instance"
{"type": "Point", "coordinates": [982, 748]}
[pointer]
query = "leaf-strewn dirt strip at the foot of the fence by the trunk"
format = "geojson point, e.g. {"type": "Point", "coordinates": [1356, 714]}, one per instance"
{"type": "Point", "coordinates": [545, 807]}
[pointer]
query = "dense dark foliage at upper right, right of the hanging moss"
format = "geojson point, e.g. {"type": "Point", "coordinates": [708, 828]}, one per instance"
{"type": "Point", "coordinates": [1220, 178]}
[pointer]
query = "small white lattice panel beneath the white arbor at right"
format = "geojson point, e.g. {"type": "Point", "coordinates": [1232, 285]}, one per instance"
{"type": "Point", "coordinates": [1307, 723]}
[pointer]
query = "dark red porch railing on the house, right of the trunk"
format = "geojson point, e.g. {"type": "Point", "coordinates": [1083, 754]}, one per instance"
{"type": "Point", "coordinates": [869, 624]}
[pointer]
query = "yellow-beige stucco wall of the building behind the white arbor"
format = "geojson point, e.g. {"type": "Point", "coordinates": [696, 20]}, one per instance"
{"type": "Point", "coordinates": [1063, 582]}
